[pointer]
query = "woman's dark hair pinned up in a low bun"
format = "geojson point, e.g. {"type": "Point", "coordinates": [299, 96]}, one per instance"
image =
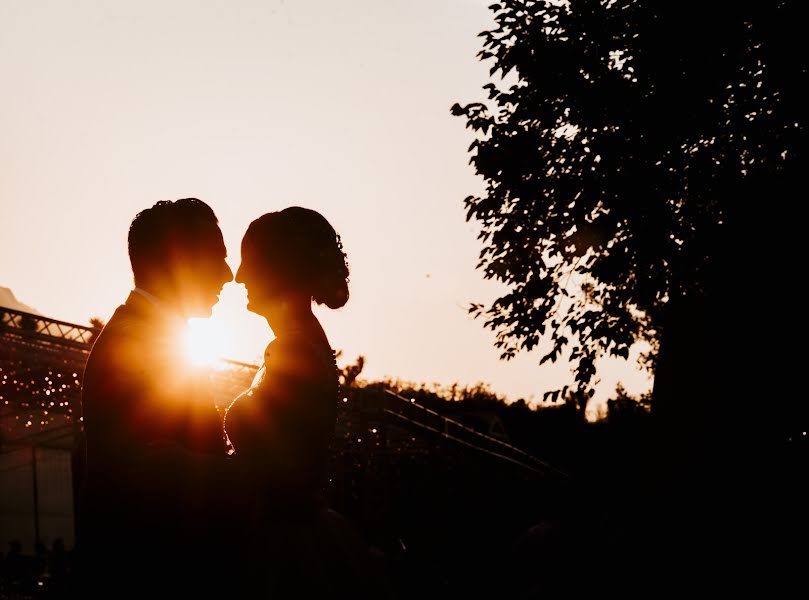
{"type": "Point", "coordinates": [301, 250]}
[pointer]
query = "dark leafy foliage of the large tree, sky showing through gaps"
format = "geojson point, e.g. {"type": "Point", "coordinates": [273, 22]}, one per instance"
{"type": "Point", "coordinates": [615, 146]}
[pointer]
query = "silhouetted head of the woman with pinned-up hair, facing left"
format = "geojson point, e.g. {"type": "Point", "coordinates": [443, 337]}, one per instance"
{"type": "Point", "coordinates": [291, 252]}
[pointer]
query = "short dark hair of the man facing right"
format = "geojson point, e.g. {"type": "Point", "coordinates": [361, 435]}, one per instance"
{"type": "Point", "coordinates": [167, 225]}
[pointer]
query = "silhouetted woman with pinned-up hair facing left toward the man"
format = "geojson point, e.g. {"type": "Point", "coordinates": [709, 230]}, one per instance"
{"type": "Point", "coordinates": [281, 428]}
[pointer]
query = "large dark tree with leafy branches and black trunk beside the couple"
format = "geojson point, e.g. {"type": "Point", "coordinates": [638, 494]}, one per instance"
{"type": "Point", "coordinates": [642, 163]}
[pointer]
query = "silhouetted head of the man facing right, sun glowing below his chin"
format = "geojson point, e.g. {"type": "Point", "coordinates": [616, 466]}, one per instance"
{"type": "Point", "coordinates": [178, 254]}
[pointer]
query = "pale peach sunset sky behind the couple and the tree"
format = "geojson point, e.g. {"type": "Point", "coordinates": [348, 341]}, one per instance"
{"type": "Point", "coordinates": [252, 106]}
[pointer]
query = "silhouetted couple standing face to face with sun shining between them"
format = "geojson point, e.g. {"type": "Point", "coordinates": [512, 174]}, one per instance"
{"type": "Point", "coordinates": [180, 498]}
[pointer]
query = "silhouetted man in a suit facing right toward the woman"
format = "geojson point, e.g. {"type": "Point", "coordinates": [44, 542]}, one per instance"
{"type": "Point", "coordinates": [155, 453]}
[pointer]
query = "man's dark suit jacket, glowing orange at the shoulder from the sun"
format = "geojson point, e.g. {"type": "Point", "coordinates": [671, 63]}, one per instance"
{"type": "Point", "coordinates": [155, 452]}
